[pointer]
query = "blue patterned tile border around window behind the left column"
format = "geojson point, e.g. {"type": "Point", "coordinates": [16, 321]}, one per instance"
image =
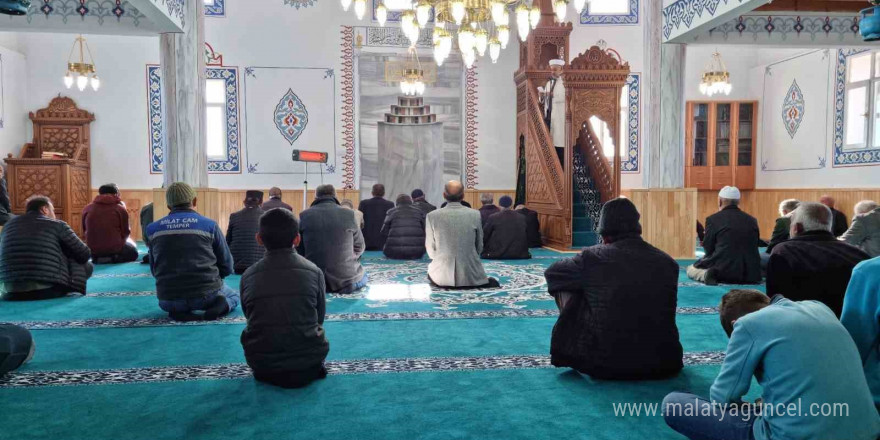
{"type": "Point", "coordinates": [232, 163]}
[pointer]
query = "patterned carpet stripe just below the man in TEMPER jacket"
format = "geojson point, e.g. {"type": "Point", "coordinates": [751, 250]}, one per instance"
{"type": "Point", "coordinates": [338, 317]}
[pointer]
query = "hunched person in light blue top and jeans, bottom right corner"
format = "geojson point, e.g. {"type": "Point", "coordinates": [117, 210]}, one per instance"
{"type": "Point", "coordinates": [801, 356]}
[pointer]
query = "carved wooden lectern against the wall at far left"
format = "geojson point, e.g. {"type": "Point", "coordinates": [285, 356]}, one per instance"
{"type": "Point", "coordinates": [64, 177]}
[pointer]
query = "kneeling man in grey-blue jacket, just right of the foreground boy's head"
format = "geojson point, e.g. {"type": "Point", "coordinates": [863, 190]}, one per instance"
{"type": "Point", "coordinates": [332, 240]}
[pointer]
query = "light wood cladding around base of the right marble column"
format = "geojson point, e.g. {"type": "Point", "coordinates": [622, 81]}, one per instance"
{"type": "Point", "coordinates": [668, 219]}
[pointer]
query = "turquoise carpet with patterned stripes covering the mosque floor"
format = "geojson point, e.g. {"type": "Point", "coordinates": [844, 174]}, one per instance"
{"type": "Point", "coordinates": [405, 362]}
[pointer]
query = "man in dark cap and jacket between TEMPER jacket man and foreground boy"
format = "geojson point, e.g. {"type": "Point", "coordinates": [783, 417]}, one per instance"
{"type": "Point", "coordinates": [241, 234]}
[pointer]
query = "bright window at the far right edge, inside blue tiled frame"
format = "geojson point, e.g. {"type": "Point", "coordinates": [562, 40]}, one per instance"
{"type": "Point", "coordinates": [862, 122]}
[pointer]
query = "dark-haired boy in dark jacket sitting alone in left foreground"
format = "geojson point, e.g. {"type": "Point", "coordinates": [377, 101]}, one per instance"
{"type": "Point", "coordinates": [282, 297]}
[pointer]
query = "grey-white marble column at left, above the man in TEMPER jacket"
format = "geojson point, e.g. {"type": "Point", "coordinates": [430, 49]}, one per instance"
{"type": "Point", "coordinates": [183, 95]}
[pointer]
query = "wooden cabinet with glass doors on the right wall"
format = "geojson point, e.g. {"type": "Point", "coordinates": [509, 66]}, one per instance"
{"type": "Point", "coordinates": [721, 143]}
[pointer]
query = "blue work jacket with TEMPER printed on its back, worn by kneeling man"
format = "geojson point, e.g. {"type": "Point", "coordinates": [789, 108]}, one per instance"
{"type": "Point", "coordinates": [188, 255]}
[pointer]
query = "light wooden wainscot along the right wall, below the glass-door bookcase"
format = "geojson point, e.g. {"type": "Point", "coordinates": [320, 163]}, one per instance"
{"type": "Point", "coordinates": [763, 204]}
